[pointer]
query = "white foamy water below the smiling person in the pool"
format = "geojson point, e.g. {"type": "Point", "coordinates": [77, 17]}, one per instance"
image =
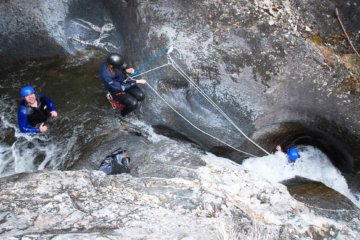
{"type": "Point", "coordinates": [21, 152]}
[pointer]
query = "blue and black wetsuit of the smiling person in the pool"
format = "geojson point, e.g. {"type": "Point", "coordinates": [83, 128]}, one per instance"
{"type": "Point", "coordinates": [29, 117]}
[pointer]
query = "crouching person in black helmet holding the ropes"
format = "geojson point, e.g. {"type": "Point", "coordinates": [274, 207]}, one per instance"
{"type": "Point", "coordinates": [115, 76]}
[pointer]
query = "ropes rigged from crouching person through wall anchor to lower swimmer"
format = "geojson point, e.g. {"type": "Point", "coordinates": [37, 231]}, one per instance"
{"type": "Point", "coordinates": [171, 62]}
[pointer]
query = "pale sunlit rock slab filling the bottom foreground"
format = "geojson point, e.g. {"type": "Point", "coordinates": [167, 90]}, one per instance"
{"type": "Point", "coordinates": [211, 200]}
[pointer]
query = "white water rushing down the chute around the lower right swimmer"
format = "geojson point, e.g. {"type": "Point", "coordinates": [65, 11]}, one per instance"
{"type": "Point", "coordinates": [313, 164]}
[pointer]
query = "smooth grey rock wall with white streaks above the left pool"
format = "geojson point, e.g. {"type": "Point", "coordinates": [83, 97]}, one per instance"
{"type": "Point", "coordinates": [36, 29]}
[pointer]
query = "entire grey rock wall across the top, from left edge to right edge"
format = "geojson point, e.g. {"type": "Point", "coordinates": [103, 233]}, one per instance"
{"type": "Point", "coordinates": [256, 59]}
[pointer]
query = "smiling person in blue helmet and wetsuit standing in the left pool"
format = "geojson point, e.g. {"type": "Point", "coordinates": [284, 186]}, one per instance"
{"type": "Point", "coordinates": [34, 110]}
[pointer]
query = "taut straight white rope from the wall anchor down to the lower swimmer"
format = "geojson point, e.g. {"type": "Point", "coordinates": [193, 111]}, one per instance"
{"type": "Point", "coordinates": [182, 73]}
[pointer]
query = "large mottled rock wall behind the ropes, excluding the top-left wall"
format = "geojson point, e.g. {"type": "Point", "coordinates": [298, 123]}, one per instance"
{"type": "Point", "coordinates": [258, 62]}
